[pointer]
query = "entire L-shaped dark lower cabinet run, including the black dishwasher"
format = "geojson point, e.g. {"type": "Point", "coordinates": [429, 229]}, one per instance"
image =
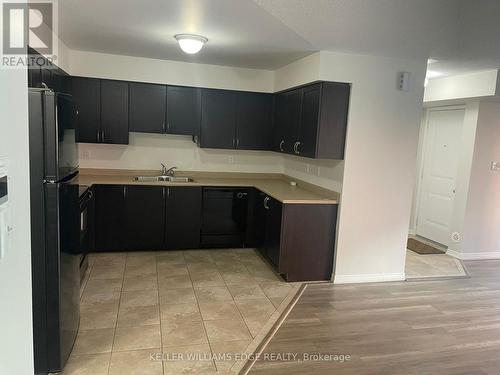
{"type": "Point", "coordinates": [297, 239]}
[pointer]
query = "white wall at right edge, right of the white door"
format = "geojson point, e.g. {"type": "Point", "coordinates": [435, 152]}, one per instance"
{"type": "Point", "coordinates": [482, 216]}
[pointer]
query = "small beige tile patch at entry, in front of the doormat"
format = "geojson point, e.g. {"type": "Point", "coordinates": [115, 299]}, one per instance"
{"type": "Point", "coordinates": [432, 266]}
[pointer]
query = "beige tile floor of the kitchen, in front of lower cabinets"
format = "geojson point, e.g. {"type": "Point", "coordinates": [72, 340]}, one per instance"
{"type": "Point", "coordinates": [190, 302]}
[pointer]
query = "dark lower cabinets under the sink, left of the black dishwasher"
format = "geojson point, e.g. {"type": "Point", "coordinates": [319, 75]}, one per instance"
{"type": "Point", "coordinates": [137, 217]}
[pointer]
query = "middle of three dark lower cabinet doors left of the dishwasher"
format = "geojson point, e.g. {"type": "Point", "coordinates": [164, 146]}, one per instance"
{"type": "Point", "coordinates": [144, 217]}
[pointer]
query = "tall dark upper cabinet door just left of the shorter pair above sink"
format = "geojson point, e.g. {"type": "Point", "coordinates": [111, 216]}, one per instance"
{"type": "Point", "coordinates": [114, 112]}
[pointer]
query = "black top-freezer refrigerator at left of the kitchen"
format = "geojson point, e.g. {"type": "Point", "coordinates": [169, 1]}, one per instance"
{"type": "Point", "coordinates": [55, 223]}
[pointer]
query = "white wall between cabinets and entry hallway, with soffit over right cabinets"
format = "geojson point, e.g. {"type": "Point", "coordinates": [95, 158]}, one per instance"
{"type": "Point", "coordinates": [379, 167]}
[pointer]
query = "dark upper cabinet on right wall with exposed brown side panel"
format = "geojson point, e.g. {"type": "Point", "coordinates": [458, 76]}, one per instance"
{"type": "Point", "coordinates": [311, 121]}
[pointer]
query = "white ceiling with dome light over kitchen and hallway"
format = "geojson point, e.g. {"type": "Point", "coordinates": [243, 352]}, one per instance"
{"type": "Point", "coordinates": [462, 34]}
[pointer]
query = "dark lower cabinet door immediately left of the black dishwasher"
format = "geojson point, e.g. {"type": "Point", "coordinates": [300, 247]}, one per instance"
{"type": "Point", "coordinates": [183, 217]}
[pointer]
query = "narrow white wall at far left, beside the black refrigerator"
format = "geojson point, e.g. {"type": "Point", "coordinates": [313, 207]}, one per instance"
{"type": "Point", "coordinates": [16, 339]}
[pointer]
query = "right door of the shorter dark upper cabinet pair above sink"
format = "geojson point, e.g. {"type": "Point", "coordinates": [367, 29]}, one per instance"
{"type": "Point", "coordinates": [183, 110]}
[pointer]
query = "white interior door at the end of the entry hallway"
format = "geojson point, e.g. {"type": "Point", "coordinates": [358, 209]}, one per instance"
{"type": "Point", "coordinates": [441, 152]}
